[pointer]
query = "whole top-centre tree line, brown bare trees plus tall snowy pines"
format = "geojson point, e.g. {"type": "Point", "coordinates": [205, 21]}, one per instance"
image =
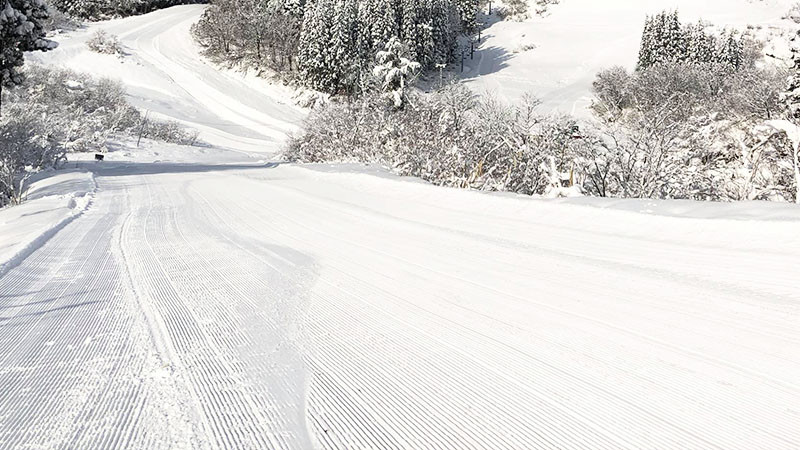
{"type": "Point", "coordinates": [330, 45]}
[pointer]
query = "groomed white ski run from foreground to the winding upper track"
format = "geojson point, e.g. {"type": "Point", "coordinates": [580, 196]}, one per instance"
{"type": "Point", "coordinates": [206, 299]}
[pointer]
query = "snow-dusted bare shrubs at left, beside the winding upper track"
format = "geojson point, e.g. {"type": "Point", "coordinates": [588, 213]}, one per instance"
{"type": "Point", "coordinates": [56, 111]}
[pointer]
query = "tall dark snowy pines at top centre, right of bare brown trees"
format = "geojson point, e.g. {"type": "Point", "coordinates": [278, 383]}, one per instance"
{"type": "Point", "coordinates": [340, 38]}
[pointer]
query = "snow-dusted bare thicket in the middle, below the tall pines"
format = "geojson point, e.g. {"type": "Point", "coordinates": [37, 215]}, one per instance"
{"type": "Point", "coordinates": [449, 138]}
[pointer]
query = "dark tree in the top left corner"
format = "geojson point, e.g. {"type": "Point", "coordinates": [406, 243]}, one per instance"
{"type": "Point", "coordinates": [20, 31]}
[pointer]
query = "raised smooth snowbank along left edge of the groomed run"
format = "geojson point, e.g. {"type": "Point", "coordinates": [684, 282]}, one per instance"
{"type": "Point", "coordinates": [53, 202]}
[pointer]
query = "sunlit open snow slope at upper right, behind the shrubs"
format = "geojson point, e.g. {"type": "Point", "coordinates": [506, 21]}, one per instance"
{"type": "Point", "coordinates": [557, 57]}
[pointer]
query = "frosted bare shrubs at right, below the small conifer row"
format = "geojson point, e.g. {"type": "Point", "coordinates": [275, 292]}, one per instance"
{"type": "Point", "coordinates": [688, 130]}
